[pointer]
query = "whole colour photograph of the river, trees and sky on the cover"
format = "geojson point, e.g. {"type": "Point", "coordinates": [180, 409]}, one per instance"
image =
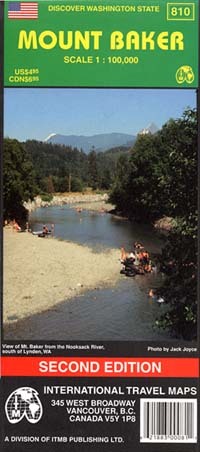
{"type": "Point", "coordinates": [100, 214]}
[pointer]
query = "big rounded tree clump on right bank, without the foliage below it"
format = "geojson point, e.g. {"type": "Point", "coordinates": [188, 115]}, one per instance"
{"type": "Point", "coordinates": [159, 177]}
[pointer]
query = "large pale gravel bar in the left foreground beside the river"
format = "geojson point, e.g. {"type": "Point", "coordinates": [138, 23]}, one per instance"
{"type": "Point", "coordinates": [39, 273]}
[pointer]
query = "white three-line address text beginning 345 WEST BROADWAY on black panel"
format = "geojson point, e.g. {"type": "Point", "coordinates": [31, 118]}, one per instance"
{"type": "Point", "coordinates": [85, 410]}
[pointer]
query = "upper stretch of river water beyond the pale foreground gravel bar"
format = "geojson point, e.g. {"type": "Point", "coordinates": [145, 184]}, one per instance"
{"type": "Point", "coordinates": [95, 229]}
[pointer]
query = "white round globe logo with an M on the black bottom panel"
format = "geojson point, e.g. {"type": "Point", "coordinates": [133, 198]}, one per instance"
{"type": "Point", "coordinates": [23, 402]}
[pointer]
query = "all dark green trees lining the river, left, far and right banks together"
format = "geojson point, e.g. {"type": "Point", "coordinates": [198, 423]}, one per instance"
{"type": "Point", "coordinates": [157, 178]}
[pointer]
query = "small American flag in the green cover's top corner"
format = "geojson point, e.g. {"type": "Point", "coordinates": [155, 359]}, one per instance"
{"type": "Point", "coordinates": [22, 10]}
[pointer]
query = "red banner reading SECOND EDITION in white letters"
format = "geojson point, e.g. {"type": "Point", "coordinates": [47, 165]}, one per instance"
{"type": "Point", "coordinates": [101, 367]}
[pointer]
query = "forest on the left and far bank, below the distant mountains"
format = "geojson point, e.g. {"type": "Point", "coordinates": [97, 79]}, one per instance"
{"type": "Point", "coordinates": [35, 167]}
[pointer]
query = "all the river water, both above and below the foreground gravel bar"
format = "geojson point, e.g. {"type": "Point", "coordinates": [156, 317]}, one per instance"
{"type": "Point", "coordinates": [120, 312]}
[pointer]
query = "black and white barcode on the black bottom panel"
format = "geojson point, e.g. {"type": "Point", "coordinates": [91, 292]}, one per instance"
{"type": "Point", "coordinates": [168, 420]}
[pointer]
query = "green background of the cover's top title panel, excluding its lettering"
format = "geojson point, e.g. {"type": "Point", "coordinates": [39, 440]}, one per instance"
{"type": "Point", "coordinates": [155, 68]}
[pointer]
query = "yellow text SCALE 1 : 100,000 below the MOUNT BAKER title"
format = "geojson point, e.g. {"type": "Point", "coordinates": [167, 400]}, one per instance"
{"type": "Point", "coordinates": [89, 59]}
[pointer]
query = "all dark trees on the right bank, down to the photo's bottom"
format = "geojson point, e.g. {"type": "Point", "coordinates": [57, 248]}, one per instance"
{"type": "Point", "coordinates": [158, 179]}
